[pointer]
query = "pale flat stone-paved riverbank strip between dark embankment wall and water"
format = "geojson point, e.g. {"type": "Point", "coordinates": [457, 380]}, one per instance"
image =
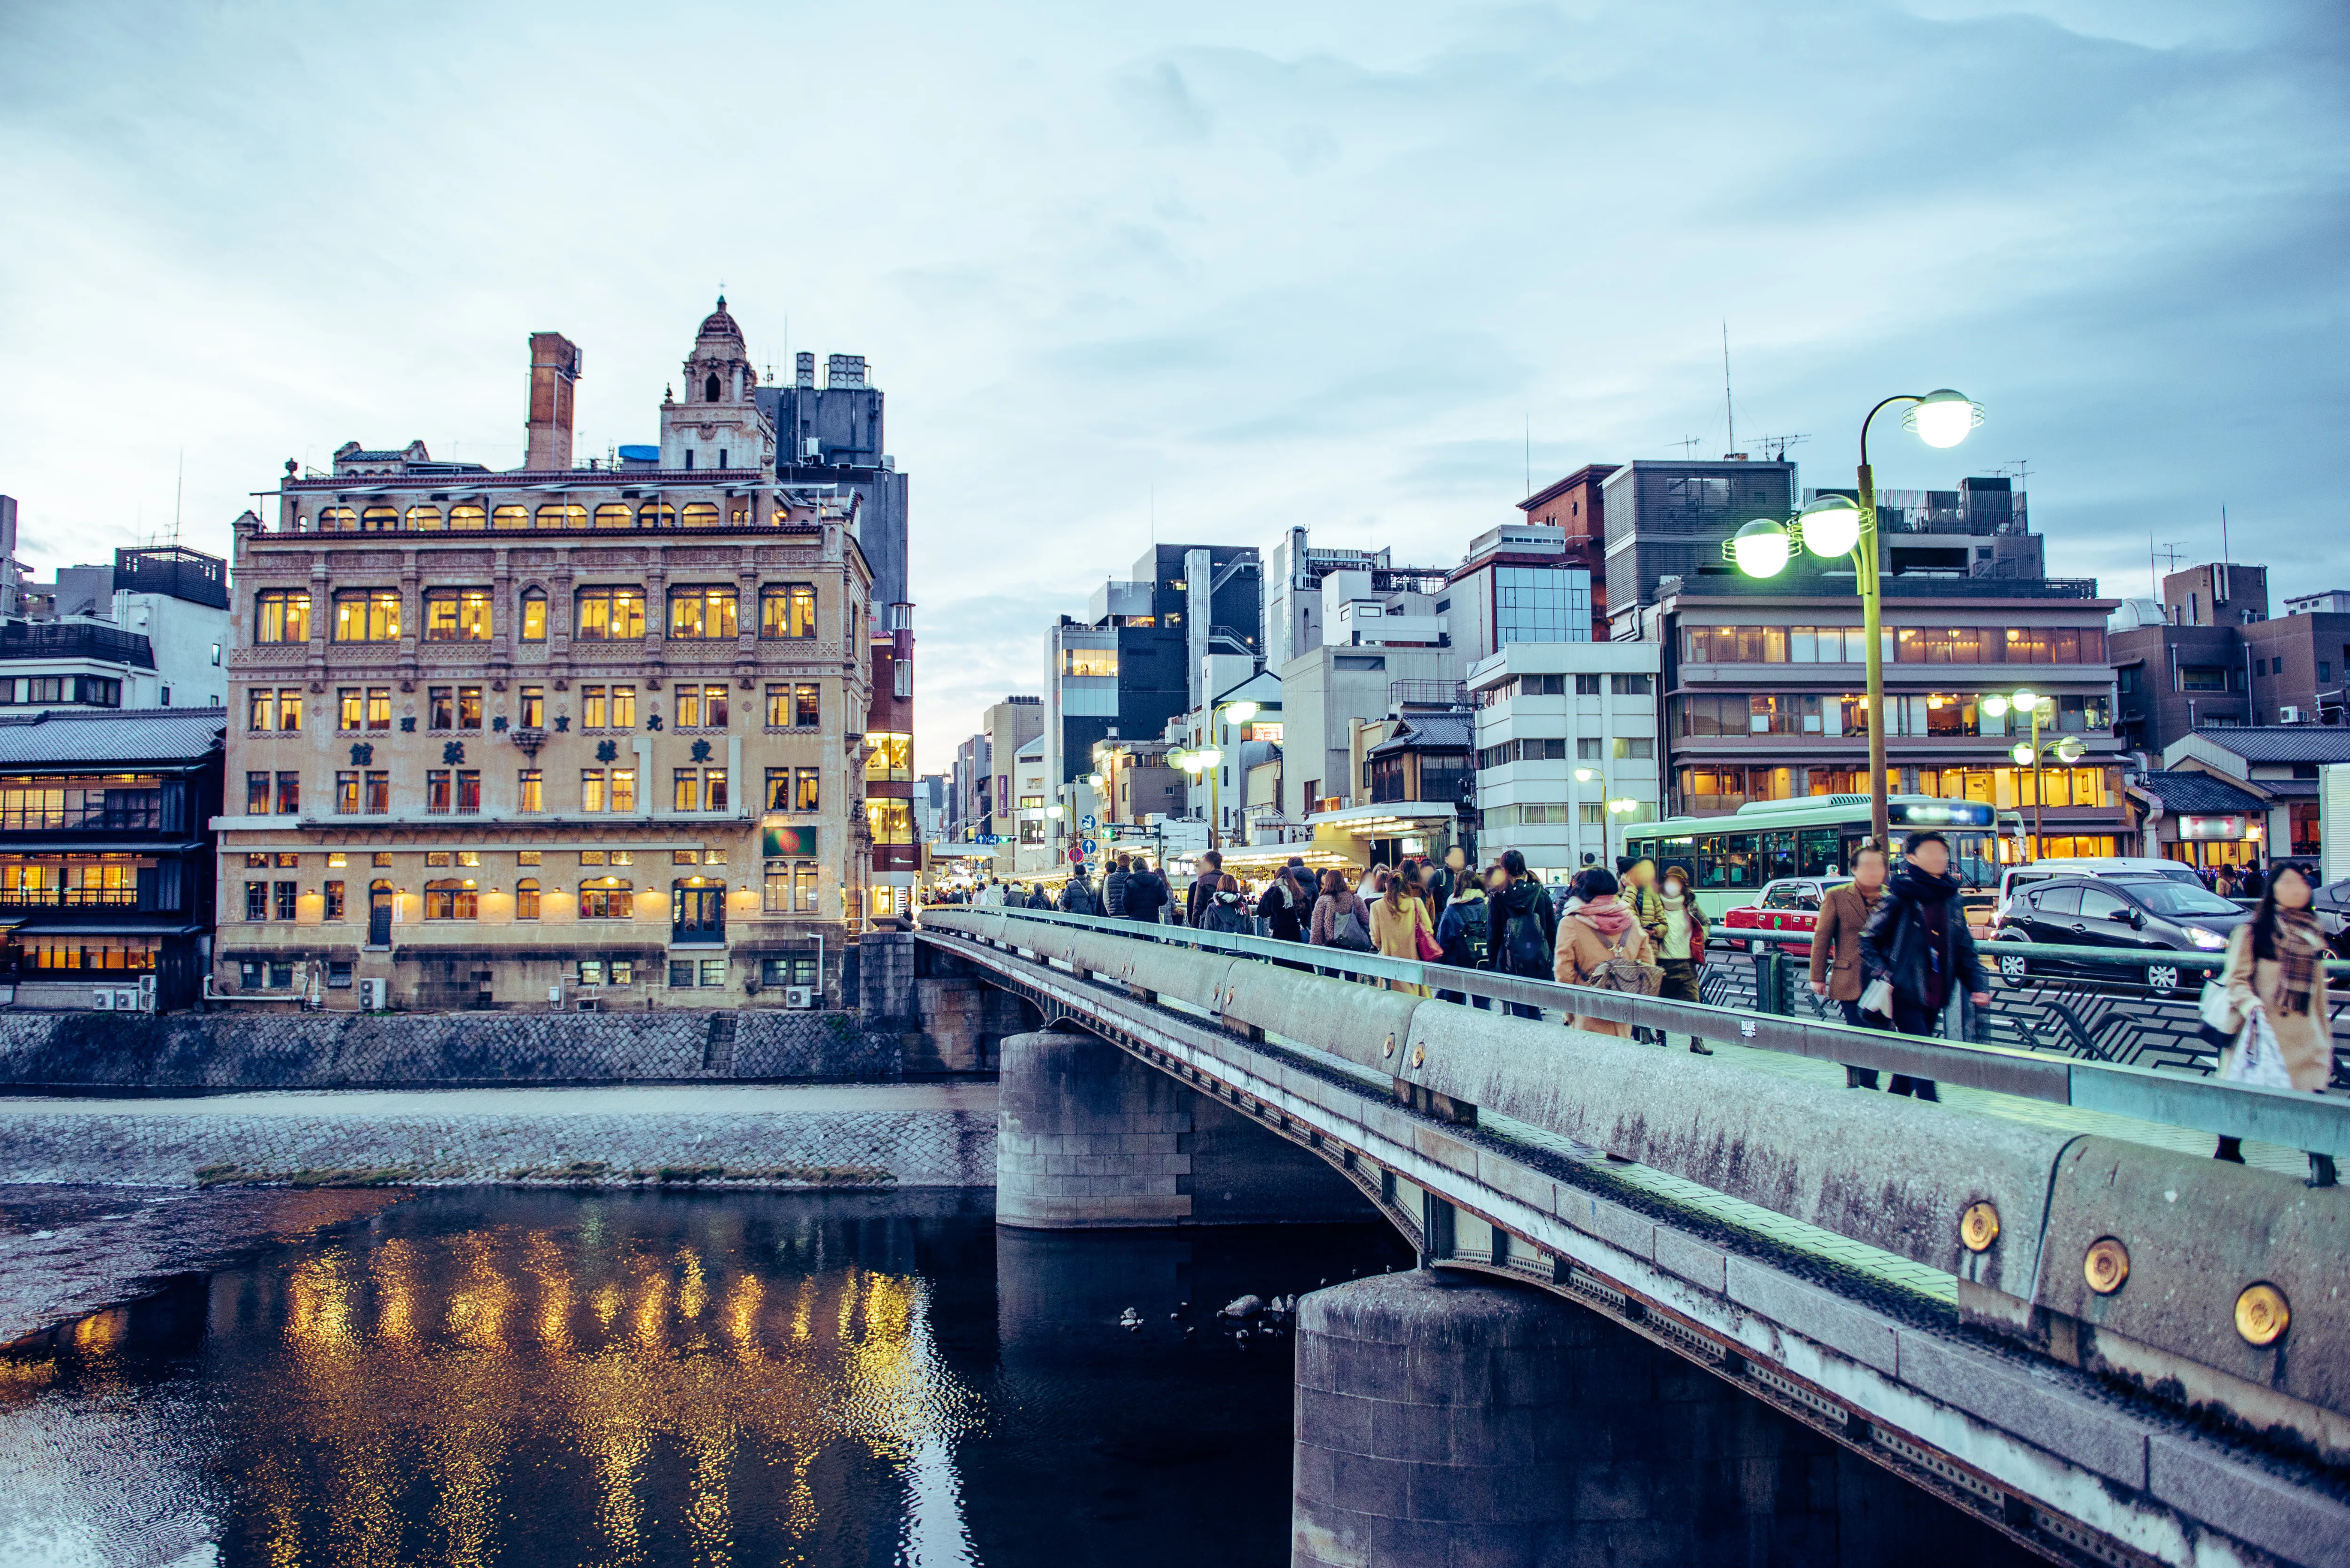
{"type": "Point", "coordinates": [753, 1137]}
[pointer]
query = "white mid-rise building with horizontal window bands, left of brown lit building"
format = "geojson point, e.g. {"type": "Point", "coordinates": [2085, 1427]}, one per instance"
{"type": "Point", "coordinates": [1566, 751]}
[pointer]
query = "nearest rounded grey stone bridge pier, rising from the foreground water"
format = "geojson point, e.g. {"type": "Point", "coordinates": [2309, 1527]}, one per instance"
{"type": "Point", "coordinates": [1432, 1419]}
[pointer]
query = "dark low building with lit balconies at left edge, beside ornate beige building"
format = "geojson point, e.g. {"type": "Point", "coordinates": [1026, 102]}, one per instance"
{"type": "Point", "coordinates": [107, 855]}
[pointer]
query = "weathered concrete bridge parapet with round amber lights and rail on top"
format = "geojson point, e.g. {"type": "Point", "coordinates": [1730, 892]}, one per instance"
{"type": "Point", "coordinates": [2208, 1287]}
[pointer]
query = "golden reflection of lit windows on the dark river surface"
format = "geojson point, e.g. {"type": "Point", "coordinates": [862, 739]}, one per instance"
{"type": "Point", "coordinates": [429, 1379]}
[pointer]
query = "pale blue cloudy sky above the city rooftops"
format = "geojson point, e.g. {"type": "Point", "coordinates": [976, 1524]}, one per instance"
{"type": "Point", "coordinates": [1195, 274]}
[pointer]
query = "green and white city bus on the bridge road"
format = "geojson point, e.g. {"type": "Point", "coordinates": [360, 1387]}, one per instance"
{"type": "Point", "coordinates": [1733, 857]}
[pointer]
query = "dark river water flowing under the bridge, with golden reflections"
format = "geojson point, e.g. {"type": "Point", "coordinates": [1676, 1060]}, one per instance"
{"type": "Point", "coordinates": [716, 1381]}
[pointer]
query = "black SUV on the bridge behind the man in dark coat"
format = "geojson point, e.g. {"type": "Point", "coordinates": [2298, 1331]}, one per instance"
{"type": "Point", "coordinates": [2133, 913]}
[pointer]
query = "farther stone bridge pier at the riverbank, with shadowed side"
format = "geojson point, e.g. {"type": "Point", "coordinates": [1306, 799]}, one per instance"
{"type": "Point", "coordinates": [1089, 1139]}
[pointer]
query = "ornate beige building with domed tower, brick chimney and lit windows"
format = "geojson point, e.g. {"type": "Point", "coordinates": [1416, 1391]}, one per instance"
{"type": "Point", "coordinates": [584, 735]}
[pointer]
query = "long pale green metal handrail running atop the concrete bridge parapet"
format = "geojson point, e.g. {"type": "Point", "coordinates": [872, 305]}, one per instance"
{"type": "Point", "coordinates": [2283, 1118]}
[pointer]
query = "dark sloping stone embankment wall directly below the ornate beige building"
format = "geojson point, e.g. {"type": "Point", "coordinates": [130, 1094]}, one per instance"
{"type": "Point", "coordinates": [222, 1052]}
